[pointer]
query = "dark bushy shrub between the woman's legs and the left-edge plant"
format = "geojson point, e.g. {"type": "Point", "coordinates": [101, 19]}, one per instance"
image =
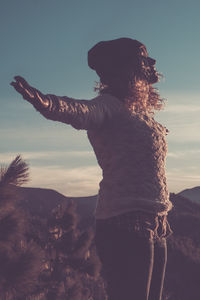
{"type": "Point", "coordinates": [71, 265]}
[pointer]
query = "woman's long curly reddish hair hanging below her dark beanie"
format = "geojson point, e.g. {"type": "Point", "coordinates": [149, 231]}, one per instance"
{"type": "Point", "coordinates": [136, 93]}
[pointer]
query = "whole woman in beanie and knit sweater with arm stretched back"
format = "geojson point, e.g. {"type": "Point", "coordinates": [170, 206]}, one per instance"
{"type": "Point", "coordinates": [130, 146]}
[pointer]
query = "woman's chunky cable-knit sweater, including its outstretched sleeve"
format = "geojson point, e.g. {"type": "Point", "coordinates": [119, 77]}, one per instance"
{"type": "Point", "coordinates": [130, 148]}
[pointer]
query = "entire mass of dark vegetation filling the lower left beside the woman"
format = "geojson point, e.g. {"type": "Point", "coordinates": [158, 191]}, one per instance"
{"type": "Point", "coordinates": [42, 256]}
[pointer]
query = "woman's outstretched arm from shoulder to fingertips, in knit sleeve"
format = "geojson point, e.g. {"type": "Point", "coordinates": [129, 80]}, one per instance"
{"type": "Point", "coordinates": [81, 114]}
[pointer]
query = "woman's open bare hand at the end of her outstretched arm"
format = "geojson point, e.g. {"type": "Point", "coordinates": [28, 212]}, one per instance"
{"type": "Point", "coordinates": [29, 93]}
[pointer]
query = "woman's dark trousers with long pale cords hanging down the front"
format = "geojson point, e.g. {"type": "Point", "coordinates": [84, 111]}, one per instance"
{"type": "Point", "coordinates": [133, 252]}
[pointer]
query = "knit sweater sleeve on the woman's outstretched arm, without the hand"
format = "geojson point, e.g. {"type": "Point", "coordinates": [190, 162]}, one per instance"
{"type": "Point", "coordinates": [81, 114]}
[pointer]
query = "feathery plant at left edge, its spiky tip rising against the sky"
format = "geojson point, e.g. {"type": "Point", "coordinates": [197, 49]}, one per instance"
{"type": "Point", "coordinates": [20, 261]}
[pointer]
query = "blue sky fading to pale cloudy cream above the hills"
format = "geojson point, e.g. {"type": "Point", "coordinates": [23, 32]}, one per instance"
{"type": "Point", "coordinates": [46, 41]}
